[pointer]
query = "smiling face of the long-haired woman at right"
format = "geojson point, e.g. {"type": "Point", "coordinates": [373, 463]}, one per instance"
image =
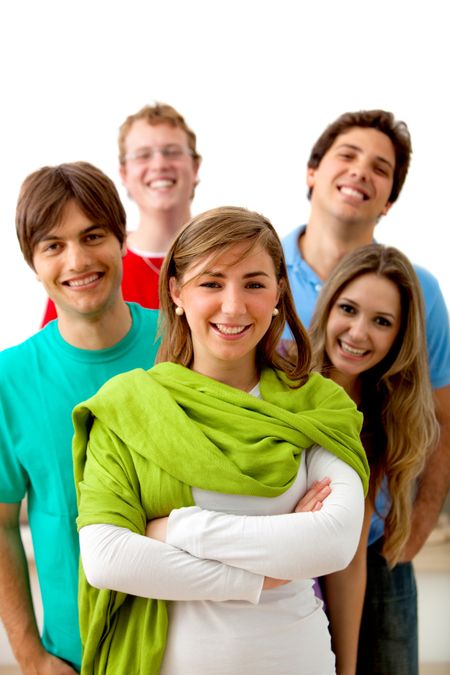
{"type": "Point", "coordinates": [363, 324]}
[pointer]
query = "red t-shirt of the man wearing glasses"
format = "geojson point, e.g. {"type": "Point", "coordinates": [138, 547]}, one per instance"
{"type": "Point", "coordinates": [139, 283]}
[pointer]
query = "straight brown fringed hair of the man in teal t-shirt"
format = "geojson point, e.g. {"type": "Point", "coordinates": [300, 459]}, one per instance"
{"type": "Point", "coordinates": [44, 194]}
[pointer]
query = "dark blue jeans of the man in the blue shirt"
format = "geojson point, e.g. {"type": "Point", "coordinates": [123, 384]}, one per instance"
{"type": "Point", "coordinates": [388, 641]}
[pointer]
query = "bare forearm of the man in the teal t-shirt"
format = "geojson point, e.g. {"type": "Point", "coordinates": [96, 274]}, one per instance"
{"type": "Point", "coordinates": [16, 605]}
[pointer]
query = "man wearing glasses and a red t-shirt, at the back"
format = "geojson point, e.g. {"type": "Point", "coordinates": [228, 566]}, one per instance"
{"type": "Point", "coordinates": [158, 166]}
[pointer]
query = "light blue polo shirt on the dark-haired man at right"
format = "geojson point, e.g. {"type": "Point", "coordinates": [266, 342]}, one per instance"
{"type": "Point", "coordinates": [306, 286]}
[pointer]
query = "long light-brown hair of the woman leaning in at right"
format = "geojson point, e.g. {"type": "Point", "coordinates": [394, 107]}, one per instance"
{"type": "Point", "coordinates": [399, 386]}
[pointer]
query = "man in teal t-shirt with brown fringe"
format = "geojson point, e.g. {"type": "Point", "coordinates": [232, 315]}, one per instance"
{"type": "Point", "coordinates": [71, 228]}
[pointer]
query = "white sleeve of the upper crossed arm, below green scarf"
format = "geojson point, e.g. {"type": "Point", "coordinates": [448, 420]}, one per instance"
{"type": "Point", "coordinates": [289, 546]}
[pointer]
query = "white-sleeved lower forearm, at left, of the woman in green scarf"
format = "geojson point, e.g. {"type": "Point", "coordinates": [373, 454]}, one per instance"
{"type": "Point", "coordinates": [121, 560]}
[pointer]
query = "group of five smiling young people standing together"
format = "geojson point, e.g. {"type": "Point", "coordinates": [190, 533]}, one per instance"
{"type": "Point", "coordinates": [253, 501]}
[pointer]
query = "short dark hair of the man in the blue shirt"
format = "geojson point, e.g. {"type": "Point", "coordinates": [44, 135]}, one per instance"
{"type": "Point", "coordinates": [380, 120]}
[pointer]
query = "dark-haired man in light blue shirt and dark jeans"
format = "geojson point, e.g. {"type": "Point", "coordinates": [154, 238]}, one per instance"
{"type": "Point", "coordinates": [355, 173]}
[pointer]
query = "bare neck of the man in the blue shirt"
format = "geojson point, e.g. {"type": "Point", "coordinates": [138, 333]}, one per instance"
{"type": "Point", "coordinates": [326, 241]}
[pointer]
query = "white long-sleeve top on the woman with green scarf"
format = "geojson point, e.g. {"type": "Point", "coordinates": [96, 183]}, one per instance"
{"type": "Point", "coordinates": [210, 632]}
